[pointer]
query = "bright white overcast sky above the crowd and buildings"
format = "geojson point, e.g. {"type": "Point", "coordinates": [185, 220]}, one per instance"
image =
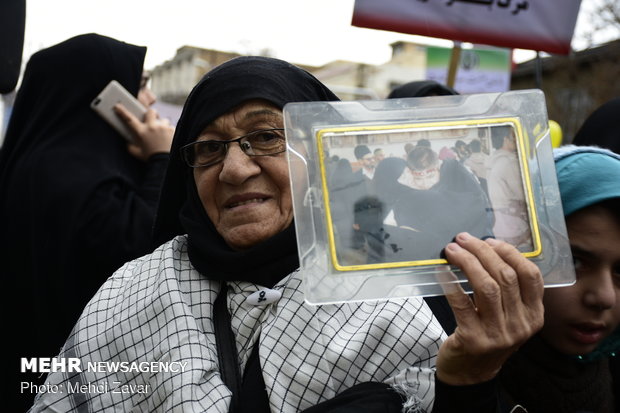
{"type": "Point", "coordinates": [310, 32]}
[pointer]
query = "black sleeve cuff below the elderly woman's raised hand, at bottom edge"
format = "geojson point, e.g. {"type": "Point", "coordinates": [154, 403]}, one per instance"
{"type": "Point", "coordinates": [475, 398]}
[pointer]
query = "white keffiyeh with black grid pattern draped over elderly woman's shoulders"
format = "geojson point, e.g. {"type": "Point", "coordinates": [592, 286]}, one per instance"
{"type": "Point", "coordinates": [158, 308]}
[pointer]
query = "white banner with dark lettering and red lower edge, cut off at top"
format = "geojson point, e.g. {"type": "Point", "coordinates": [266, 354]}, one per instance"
{"type": "Point", "coordinates": [543, 25]}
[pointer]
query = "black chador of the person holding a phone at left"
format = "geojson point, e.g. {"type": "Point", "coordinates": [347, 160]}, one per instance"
{"type": "Point", "coordinates": [69, 210]}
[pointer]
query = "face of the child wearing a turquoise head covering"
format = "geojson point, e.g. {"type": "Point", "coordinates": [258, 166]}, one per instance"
{"type": "Point", "coordinates": [579, 317]}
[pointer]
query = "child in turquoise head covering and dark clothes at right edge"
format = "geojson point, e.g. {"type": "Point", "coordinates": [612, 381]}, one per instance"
{"type": "Point", "coordinates": [567, 366]}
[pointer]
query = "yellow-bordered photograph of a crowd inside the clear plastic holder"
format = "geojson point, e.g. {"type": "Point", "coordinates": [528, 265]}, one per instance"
{"type": "Point", "coordinates": [396, 195]}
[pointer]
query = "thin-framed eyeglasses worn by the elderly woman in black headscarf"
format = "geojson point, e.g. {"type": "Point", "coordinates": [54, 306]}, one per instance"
{"type": "Point", "coordinates": [262, 142]}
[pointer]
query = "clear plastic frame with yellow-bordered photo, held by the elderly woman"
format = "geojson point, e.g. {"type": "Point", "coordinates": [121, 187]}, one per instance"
{"type": "Point", "coordinates": [381, 187]}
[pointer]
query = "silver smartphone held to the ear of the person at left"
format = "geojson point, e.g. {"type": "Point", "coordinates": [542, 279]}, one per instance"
{"type": "Point", "coordinates": [104, 103]}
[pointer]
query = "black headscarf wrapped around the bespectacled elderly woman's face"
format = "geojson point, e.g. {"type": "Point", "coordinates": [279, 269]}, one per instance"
{"type": "Point", "coordinates": [181, 211]}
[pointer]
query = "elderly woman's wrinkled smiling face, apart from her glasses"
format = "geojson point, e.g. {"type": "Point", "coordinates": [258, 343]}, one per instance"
{"type": "Point", "coordinates": [248, 199]}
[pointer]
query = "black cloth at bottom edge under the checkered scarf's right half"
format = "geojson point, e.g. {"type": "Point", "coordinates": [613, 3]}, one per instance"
{"type": "Point", "coordinates": [370, 397]}
